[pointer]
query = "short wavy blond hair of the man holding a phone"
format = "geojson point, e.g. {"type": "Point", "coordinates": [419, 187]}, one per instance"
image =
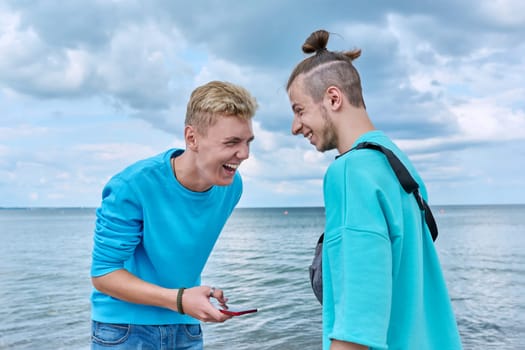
{"type": "Point", "coordinates": [218, 98]}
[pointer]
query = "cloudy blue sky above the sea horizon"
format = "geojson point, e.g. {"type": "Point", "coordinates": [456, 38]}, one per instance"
{"type": "Point", "coordinates": [87, 87]}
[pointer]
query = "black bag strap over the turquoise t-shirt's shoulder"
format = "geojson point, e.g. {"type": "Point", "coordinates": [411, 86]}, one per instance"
{"type": "Point", "coordinates": [407, 182]}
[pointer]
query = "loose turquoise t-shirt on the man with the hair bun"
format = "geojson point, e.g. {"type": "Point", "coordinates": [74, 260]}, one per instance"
{"type": "Point", "coordinates": [382, 282]}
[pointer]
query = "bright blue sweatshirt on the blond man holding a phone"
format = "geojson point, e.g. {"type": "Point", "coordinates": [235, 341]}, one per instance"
{"type": "Point", "coordinates": [152, 226]}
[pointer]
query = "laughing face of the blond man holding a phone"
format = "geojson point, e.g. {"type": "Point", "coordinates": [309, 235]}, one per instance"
{"type": "Point", "coordinates": [221, 149]}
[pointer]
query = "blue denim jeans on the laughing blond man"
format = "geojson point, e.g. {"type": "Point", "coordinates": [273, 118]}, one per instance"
{"type": "Point", "coordinates": [165, 337]}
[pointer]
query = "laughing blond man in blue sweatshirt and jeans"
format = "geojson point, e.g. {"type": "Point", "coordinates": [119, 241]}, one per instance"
{"type": "Point", "coordinates": [158, 222]}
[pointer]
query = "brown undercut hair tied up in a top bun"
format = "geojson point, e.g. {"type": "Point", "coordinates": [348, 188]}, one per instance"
{"type": "Point", "coordinates": [328, 68]}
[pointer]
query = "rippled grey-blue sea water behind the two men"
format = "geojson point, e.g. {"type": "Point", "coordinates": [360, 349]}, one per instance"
{"type": "Point", "coordinates": [261, 260]}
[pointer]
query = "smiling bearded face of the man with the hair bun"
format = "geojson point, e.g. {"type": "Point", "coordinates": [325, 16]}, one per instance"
{"type": "Point", "coordinates": [311, 119]}
